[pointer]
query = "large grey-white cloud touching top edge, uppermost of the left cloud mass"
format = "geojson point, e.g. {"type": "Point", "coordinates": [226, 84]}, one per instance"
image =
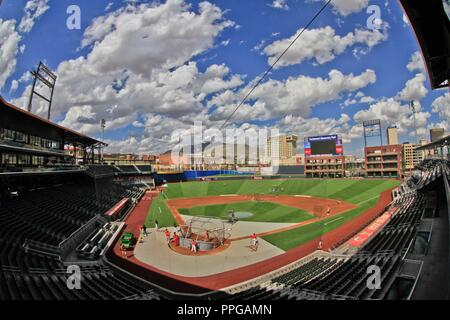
{"type": "Point", "coordinates": [167, 36]}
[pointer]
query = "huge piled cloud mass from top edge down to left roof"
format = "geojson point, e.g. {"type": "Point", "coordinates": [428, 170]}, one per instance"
{"type": "Point", "coordinates": [157, 77]}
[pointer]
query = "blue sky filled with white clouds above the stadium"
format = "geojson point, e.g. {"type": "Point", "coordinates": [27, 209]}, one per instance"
{"type": "Point", "coordinates": [152, 67]}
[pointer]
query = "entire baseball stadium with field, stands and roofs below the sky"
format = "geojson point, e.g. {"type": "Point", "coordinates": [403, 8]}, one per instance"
{"type": "Point", "coordinates": [73, 227]}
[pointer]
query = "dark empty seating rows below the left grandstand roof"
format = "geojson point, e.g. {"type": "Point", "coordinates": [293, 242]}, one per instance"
{"type": "Point", "coordinates": [49, 215]}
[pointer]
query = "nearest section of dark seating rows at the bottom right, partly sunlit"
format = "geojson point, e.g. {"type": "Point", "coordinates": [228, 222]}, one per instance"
{"type": "Point", "coordinates": [327, 278]}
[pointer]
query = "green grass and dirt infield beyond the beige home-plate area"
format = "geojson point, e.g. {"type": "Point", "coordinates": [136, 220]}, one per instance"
{"type": "Point", "coordinates": [315, 206]}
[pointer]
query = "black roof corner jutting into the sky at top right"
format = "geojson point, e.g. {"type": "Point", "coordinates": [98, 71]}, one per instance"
{"type": "Point", "coordinates": [432, 28]}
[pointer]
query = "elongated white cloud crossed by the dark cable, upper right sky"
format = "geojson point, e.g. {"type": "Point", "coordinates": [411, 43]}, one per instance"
{"type": "Point", "coordinates": [321, 45]}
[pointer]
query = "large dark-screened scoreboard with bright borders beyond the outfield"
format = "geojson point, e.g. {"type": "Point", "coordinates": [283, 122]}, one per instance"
{"type": "Point", "coordinates": [323, 146]}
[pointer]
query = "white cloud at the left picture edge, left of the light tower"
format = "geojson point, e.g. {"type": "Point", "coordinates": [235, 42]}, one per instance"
{"type": "Point", "coordinates": [9, 48]}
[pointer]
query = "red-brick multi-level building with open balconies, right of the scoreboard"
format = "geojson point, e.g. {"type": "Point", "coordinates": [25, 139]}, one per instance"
{"type": "Point", "coordinates": [384, 161]}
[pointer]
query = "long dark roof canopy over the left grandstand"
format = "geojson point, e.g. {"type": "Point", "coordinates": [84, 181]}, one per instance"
{"type": "Point", "coordinates": [15, 118]}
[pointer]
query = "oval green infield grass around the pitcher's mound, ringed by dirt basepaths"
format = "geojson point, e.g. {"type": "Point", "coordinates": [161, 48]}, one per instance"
{"type": "Point", "coordinates": [262, 211]}
